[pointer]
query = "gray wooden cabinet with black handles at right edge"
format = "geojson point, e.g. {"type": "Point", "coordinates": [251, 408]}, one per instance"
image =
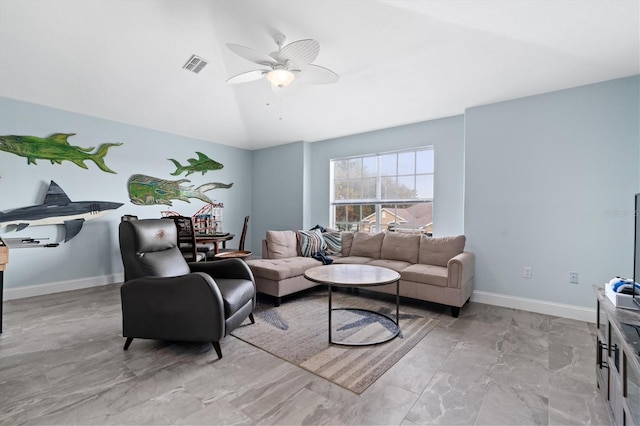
{"type": "Point", "coordinates": [618, 360]}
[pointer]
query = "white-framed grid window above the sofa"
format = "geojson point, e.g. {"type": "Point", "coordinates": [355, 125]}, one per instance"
{"type": "Point", "coordinates": [383, 192]}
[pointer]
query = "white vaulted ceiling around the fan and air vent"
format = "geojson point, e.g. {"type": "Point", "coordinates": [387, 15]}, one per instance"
{"type": "Point", "coordinates": [399, 61]}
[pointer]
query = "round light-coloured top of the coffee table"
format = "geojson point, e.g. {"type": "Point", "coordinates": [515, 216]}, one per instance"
{"type": "Point", "coordinates": [352, 275]}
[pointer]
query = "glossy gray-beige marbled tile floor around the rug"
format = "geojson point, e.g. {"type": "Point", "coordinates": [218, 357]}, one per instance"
{"type": "Point", "coordinates": [61, 362]}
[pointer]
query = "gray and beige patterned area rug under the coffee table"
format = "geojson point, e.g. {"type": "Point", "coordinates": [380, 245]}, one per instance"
{"type": "Point", "coordinates": [297, 331]}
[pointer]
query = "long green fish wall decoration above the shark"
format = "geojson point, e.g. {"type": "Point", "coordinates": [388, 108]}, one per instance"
{"type": "Point", "coordinates": [55, 148]}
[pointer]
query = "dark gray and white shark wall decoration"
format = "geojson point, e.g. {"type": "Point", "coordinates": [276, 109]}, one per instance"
{"type": "Point", "coordinates": [58, 209]}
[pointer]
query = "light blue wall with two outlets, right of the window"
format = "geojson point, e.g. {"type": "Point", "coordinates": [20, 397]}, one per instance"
{"type": "Point", "coordinates": [549, 183]}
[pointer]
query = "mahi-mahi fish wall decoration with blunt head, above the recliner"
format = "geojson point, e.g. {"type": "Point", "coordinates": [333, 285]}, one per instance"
{"type": "Point", "coordinates": [148, 190]}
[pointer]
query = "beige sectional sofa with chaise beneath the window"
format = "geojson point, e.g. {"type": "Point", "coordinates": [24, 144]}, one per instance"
{"type": "Point", "coordinates": [431, 269]}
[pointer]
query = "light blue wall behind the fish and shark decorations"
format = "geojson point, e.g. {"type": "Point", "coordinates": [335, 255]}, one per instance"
{"type": "Point", "coordinates": [94, 251]}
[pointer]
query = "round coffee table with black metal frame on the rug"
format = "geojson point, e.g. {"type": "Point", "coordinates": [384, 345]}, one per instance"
{"type": "Point", "coordinates": [357, 276]}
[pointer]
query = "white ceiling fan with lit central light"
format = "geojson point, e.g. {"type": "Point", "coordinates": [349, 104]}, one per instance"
{"type": "Point", "coordinates": [290, 62]}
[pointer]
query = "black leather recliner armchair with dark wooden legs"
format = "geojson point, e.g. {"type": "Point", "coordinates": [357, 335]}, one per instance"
{"type": "Point", "coordinates": [165, 297]}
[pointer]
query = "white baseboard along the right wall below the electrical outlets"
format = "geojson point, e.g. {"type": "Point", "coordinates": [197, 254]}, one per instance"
{"type": "Point", "coordinates": [579, 313]}
